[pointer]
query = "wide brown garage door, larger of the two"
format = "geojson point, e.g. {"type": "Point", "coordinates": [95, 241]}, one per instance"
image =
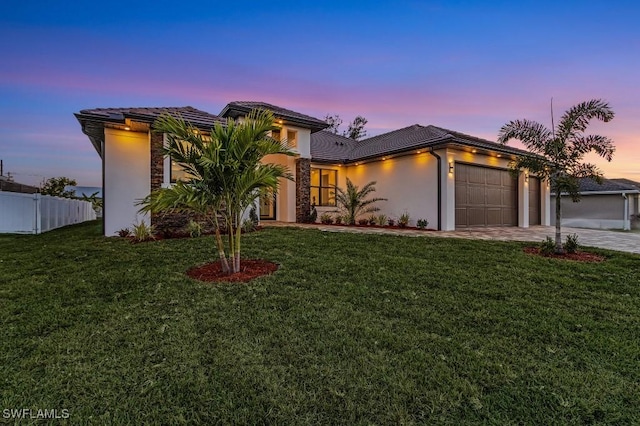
{"type": "Point", "coordinates": [485, 197]}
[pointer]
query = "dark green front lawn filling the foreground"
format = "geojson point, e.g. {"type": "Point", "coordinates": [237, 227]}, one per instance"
{"type": "Point", "coordinates": [352, 329]}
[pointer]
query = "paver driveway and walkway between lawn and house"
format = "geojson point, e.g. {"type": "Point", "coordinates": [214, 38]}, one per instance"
{"type": "Point", "coordinates": [612, 240]}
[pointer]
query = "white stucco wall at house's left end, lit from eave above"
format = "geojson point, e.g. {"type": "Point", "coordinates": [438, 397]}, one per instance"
{"type": "Point", "coordinates": [127, 178]}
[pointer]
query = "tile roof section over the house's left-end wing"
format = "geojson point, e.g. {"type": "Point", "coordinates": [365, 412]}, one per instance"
{"type": "Point", "coordinates": [193, 115]}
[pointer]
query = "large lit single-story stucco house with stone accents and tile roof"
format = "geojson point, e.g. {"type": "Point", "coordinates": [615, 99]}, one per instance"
{"type": "Point", "coordinates": [451, 179]}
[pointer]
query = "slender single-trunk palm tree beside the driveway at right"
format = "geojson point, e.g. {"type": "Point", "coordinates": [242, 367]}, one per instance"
{"type": "Point", "coordinates": [559, 152]}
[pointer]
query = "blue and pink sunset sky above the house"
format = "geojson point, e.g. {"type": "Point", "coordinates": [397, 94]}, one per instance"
{"type": "Point", "coordinates": [469, 66]}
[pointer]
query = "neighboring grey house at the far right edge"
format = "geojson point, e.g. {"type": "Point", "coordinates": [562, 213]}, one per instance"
{"type": "Point", "coordinates": [612, 204]}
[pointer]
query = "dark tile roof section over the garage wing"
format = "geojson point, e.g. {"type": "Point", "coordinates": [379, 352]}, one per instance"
{"type": "Point", "coordinates": [396, 141]}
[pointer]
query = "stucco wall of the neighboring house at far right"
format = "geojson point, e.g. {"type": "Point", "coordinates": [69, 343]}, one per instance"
{"type": "Point", "coordinates": [605, 211]}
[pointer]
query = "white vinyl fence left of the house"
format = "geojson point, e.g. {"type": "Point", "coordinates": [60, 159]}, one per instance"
{"type": "Point", "coordinates": [35, 213]}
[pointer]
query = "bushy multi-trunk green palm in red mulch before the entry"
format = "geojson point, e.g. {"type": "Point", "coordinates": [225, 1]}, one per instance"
{"type": "Point", "coordinates": [226, 174]}
